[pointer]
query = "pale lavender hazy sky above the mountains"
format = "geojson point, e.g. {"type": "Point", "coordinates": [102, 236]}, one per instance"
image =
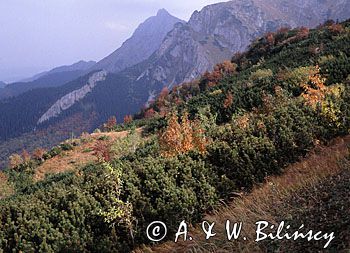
{"type": "Point", "coordinates": [37, 35]}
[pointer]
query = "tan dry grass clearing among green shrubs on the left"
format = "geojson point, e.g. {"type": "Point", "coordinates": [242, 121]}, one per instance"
{"type": "Point", "coordinates": [78, 157]}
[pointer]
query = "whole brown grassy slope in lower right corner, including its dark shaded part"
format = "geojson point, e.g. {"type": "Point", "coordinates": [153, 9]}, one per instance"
{"type": "Point", "coordinates": [314, 191]}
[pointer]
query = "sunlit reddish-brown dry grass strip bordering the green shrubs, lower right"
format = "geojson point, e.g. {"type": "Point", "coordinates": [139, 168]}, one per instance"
{"type": "Point", "coordinates": [262, 202]}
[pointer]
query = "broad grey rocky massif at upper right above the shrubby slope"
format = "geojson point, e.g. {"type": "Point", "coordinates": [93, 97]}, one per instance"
{"type": "Point", "coordinates": [218, 31]}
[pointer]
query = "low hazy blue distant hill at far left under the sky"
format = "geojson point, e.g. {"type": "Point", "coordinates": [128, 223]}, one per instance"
{"type": "Point", "coordinates": [53, 78]}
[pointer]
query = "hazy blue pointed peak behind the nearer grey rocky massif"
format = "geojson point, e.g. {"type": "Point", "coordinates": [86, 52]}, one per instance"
{"type": "Point", "coordinates": [145, 40]}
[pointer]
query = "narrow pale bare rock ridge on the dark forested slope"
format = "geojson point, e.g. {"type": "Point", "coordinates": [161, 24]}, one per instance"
{"type": "Point", "coordinates": [71, 98]}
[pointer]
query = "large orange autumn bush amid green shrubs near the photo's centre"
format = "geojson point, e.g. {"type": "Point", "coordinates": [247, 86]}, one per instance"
{"type": "Point", "coordinates": [180, 138]}
